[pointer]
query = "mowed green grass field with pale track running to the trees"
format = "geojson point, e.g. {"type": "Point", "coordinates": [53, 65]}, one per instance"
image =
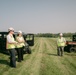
{"type": "Point", "coordinates": [42, 61]}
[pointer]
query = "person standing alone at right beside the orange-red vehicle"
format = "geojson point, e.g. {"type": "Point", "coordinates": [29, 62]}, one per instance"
{"type": "Point", "coordinates": [60, 45]}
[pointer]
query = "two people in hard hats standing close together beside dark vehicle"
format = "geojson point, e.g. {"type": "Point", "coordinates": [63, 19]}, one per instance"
{"type": "Point", "coordinates": [13, 44]}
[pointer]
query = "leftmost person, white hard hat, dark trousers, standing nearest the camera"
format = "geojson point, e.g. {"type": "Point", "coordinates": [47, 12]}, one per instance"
{"type": "Point", "coordinates": [11, 47]}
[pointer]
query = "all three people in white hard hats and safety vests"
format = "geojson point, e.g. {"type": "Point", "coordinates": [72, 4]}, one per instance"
{"type": "Point", "coordinates": [19, 43]}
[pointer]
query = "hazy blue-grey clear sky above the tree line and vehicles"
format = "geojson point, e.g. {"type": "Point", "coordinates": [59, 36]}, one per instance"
{"type": "Point", "coordinates": [38, 16]}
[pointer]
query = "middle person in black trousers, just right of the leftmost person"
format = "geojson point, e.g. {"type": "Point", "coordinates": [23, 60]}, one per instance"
{"type": "Point", "coordinates": [20, 45]}
